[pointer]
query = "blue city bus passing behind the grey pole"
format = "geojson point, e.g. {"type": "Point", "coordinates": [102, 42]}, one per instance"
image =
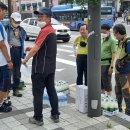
{"type": "Point", "coordinates": [73, 15]}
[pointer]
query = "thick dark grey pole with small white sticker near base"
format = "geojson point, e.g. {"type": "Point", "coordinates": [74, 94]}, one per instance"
{"type": "Point", "coordinates": [94, 50]}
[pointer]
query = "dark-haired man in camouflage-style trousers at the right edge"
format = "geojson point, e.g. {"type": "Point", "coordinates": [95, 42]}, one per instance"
{"type": "Point", "coordinates": [122, 66]}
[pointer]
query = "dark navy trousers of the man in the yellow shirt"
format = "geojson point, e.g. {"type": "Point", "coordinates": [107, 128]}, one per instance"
{"type": "Point", "coordinates": [81, 61]}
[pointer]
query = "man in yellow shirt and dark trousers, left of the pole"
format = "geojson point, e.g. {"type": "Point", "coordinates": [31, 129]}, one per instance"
{"type": "Point", "coordinates": [81, 51]}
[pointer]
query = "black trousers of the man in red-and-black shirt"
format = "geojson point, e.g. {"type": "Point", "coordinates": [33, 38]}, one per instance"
{"type": "Point", "coordinates": [39, 82]}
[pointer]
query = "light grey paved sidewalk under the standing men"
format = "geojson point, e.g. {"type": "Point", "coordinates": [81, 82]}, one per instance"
{"type": "Point", "coordinates": [70, 118]}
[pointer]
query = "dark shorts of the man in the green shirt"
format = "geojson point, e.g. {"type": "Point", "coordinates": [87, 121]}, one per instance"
{"type": "Point", "coordinates": [105, 78]}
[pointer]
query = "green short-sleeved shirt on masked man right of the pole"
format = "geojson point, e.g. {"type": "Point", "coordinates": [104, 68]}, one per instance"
{"type": "Point", "coordinates": [107, 48]}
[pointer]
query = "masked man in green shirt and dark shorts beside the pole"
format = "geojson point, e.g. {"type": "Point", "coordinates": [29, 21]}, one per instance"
{"type": "Point", "coordinates": [108, 49]}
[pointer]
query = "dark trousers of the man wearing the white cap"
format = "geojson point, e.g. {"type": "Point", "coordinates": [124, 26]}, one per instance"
{"type": "Point", "coordinates": [16, 60]}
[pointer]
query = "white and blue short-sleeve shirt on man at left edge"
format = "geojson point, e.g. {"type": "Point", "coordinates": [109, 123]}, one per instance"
{"type": "Point", "coordinates": [3, 37]}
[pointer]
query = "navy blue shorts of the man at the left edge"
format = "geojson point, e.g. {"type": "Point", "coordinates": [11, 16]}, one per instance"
{"type": "Point", "coordinates": [5, 78]}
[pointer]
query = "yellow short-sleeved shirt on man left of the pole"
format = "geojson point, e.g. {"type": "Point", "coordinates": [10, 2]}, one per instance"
{"type": "Point", "coordinates": [81, 50]}
